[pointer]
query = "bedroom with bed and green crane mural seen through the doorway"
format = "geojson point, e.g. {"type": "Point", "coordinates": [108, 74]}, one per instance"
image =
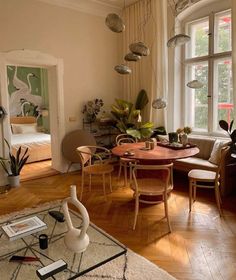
{"type": "Point", "coordinates": [29, 117]}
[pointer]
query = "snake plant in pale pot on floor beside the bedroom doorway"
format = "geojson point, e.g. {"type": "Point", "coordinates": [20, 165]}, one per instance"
{"type": "Point", "coordinates": [14, 164]}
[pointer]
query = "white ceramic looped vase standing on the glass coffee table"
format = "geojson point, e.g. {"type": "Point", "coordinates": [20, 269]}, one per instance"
{"type": "Point", "coordinates": [75, 239]}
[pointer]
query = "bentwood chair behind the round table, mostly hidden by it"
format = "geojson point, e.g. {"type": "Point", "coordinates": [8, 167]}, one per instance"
{"type": "Point", "coordinates": [124, 162]}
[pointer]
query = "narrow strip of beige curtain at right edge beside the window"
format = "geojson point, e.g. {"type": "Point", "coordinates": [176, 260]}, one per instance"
{"type": "Point", "coordinates": [234, 53]}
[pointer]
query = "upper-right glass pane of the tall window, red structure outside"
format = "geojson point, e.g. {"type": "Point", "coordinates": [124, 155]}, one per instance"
{"type": "Point", "coordinates": [223, 32]}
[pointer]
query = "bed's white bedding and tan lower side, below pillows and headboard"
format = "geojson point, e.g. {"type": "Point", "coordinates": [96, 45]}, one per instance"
{"type": "Point", "coordinates": [39, 145]}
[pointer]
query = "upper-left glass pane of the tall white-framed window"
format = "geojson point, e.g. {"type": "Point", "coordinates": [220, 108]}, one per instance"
{"type": "Point", "coordinates": [198, 31]}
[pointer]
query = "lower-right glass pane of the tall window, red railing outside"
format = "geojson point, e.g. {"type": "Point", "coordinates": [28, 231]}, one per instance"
{"type": "Point", "coordinates": [223, 90]}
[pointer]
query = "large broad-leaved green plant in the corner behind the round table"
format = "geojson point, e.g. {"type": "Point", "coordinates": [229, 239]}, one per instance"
{"type": "Point", "coordinates": [129, 119]}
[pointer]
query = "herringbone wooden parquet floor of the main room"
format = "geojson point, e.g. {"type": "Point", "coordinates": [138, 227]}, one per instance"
{"type": "Point", "coordinates": [201, 246]}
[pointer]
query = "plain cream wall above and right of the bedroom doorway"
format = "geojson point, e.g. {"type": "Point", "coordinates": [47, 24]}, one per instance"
{"type": "Point", "coordinates": [88, 48]}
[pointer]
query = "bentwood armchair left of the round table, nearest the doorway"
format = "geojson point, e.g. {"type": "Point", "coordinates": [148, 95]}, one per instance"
{"type": "Point", "coordinates": [102, 167]}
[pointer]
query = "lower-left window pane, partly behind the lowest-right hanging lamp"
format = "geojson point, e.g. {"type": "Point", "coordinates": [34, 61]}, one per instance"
{"type": "Point", "coordinates": [197, 100]}
